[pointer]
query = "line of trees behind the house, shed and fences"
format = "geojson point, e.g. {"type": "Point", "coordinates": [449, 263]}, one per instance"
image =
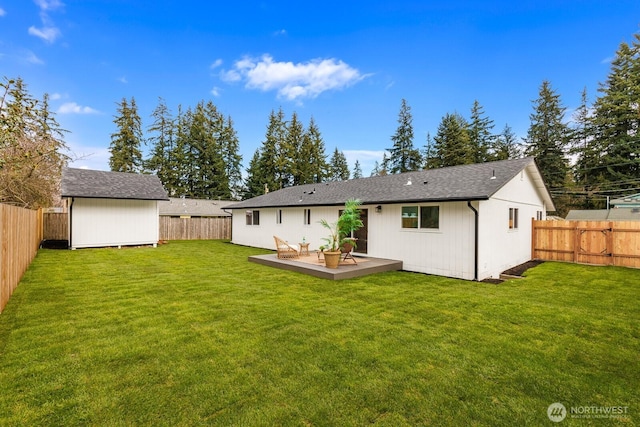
{"type": "Point", "coordinates": [584, 158]}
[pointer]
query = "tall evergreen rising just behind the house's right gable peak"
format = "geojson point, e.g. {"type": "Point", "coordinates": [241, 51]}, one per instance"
{"type": "Point", "coordinates": [548, 136]}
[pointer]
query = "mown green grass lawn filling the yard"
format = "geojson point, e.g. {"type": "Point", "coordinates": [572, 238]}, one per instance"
{"type": "Point", "coordinates": [191, 333]}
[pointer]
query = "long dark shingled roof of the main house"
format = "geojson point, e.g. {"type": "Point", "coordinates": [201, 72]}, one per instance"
{"type": "Point", "coordinates": [467, 182]}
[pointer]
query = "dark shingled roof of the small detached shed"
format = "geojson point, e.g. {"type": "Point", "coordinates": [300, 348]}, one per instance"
{"type": "Point", "coordinates": [111, 185]}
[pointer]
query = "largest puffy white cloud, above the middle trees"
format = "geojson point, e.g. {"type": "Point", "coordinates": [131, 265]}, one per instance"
{"type": "Point", "coordinates": [293, 81]}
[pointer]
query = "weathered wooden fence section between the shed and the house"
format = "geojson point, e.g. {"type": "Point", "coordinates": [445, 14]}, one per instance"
{"type": "Point", "coordinates": [198, 228]}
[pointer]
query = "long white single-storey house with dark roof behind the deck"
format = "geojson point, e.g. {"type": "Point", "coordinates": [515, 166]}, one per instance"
{"type": "Point", "coordinates": [470, 222]}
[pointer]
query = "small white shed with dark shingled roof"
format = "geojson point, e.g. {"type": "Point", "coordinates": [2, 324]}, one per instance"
{"type": "Point", "coordinates": [111, 208]}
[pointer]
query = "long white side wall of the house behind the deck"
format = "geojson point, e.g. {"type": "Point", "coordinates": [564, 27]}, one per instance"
{"type": "Point", "coordinates": [447, 251]}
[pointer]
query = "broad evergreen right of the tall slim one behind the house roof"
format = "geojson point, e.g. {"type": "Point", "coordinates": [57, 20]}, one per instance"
{"type": "Point", "coordinates": [452, 145]}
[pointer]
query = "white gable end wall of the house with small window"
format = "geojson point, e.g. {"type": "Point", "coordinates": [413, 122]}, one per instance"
{"type": "Point", "coordinates": [500, 247]}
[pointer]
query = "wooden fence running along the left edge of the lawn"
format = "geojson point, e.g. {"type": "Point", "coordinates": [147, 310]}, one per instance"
{"type": "Point", "coordinates": [21, 232]}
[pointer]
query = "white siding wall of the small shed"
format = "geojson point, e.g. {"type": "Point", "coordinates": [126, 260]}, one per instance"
{"type": "Point", "coordinates": [113, 222]}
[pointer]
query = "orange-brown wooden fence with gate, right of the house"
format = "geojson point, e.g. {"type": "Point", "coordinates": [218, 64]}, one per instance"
{"type": "Point", "coordinates": [587, 242]}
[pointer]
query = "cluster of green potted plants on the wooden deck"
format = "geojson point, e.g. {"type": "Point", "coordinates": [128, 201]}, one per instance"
{"type": "Point", "coordinates": [340, 232]}
